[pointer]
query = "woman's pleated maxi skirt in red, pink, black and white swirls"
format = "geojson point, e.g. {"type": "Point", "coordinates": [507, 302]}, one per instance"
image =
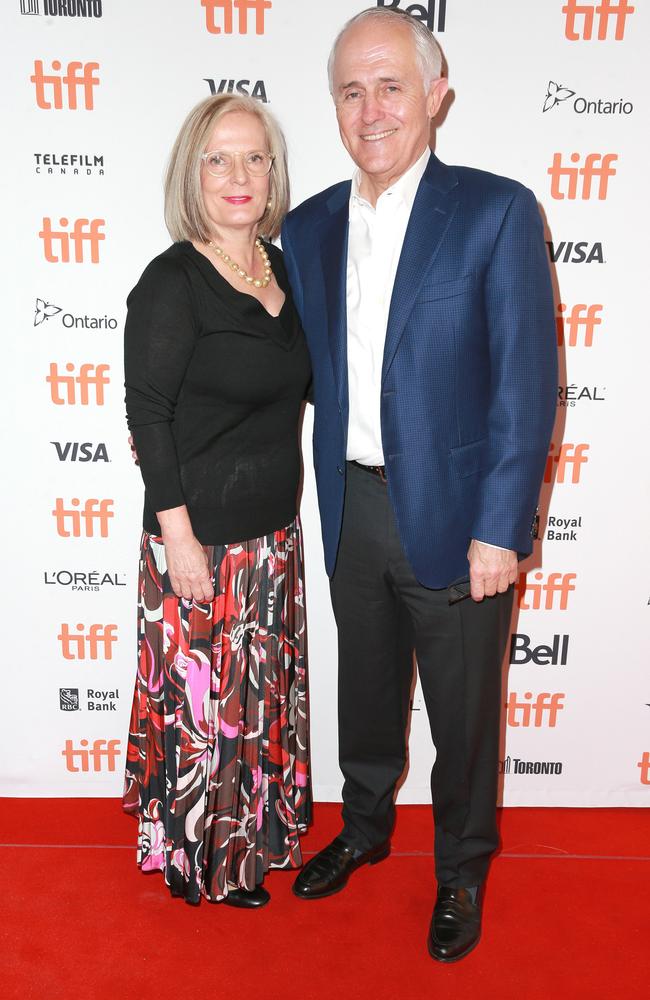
{"type": "Point", "coordinates": [217, 766]}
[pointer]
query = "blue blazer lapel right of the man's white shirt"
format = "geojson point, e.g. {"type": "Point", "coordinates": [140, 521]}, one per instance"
{"type": "Point", "coordinates": [433, 210]}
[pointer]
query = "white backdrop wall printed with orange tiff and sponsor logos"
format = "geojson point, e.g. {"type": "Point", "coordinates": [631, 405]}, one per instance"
{"type": "Point", "coordinates": [553, 93]}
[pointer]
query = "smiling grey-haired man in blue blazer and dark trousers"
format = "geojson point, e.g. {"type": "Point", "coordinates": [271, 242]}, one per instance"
{"type": "Point", "coordinates": [426, 300]}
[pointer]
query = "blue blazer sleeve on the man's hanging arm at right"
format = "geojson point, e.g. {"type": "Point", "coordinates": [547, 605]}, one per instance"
{"type": "Point", "coordinates": [523, 378]}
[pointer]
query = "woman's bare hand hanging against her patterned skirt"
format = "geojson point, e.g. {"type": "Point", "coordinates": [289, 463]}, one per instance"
{"type": "Point", "coordinates": [187, 563]}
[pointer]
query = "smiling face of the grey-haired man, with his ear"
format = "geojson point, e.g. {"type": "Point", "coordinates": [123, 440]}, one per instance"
{"type": "Point", "coordinates": [382, 108]}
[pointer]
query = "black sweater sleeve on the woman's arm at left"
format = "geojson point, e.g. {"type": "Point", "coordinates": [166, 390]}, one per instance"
{"type": "Point", "coordinates": [159, 340]}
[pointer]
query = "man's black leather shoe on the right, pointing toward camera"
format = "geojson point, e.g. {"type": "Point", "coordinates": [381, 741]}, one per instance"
{"type": "Point", "coordinates": [455, 925]}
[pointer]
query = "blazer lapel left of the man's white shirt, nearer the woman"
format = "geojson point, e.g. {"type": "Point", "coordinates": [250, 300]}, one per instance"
{"type": "Point", "coordinates": [334, 255]}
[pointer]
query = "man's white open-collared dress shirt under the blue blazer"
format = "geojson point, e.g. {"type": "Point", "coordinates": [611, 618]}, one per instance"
{"type": "Point", "coordinates": [375, 243]}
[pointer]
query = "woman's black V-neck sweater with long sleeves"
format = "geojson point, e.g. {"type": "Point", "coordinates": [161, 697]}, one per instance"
{"type": "Point", "coordinates": [214, 386]}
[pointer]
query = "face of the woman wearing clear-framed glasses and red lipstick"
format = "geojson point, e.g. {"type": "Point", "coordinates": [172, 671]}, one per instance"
{"type": "Point", "coordinates": [237, 200]}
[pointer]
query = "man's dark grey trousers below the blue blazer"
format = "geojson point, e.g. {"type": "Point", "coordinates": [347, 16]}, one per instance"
{"type": "Point", "coordinates": [382, 613]}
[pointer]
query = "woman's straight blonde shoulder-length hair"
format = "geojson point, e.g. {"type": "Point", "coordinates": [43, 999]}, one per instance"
{"type": "Point", "coordinates": [185, 214]}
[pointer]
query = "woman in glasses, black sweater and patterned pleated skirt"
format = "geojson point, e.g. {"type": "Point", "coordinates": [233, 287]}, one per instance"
{"type": "Point", "coordinates": [216, 372]}
